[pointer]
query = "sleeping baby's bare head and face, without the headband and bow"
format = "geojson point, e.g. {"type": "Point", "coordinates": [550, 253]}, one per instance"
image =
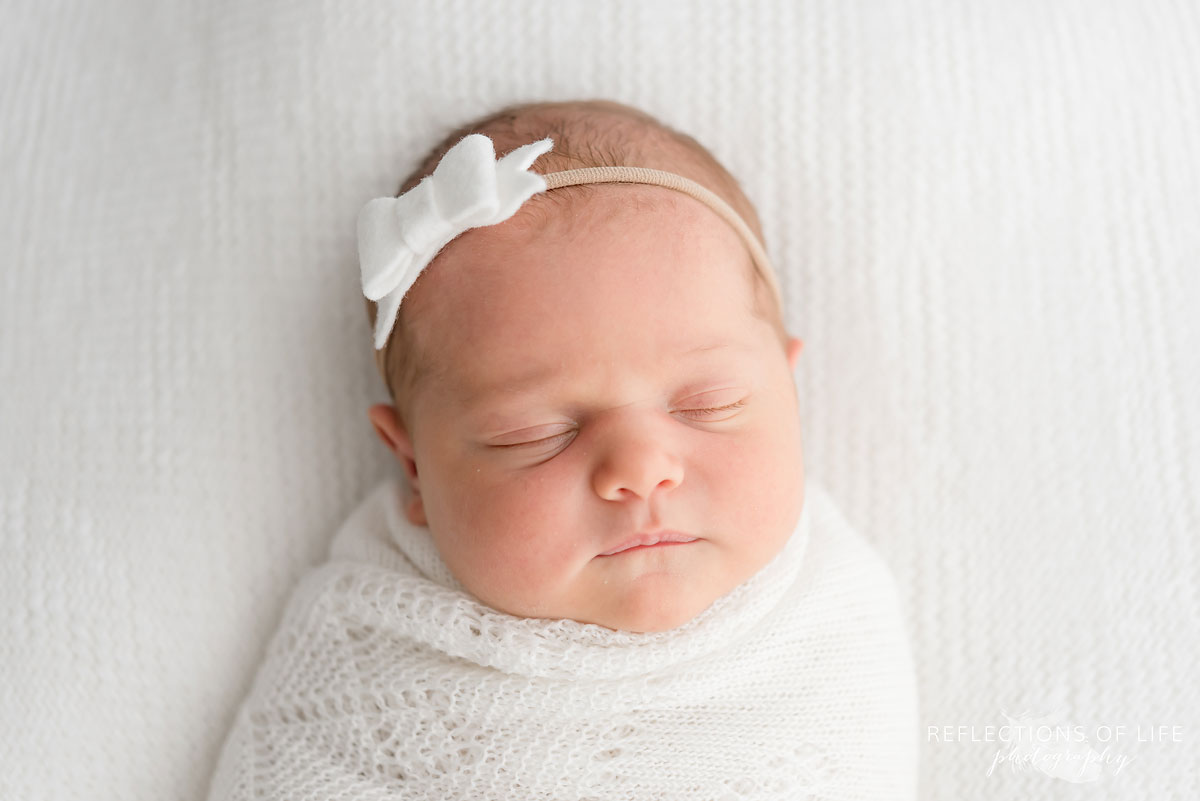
{"type": "Point", "coordinates": [604, 364]}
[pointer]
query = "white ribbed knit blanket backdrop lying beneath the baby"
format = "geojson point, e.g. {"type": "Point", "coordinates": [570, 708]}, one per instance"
{"type": "Point", "coordinates": [985, 215]}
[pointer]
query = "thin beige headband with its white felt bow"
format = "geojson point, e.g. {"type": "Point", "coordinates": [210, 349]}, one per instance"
{"type": "Point", "coordinates": [470, 189]}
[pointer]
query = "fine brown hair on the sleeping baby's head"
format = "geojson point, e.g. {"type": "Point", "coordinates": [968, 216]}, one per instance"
{"type": "Point", "coordinates": [586, 134]}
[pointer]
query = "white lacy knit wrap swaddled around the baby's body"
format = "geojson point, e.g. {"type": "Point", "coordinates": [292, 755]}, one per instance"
{"type": "Point", "coordinates": [386, 680]}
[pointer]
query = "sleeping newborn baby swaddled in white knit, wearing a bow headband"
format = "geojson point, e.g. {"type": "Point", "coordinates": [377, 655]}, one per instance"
{"type": "Point", "coordinates": [604, 576]}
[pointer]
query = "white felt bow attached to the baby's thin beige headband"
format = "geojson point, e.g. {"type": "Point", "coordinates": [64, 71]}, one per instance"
{"type": "Point", "coordinates": [469, 189]}
